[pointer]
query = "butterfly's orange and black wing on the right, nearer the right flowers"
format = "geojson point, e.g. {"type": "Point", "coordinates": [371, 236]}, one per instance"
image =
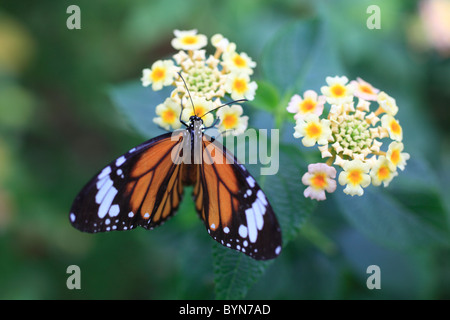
{"type": "Point", "coordinates": [235, 210]}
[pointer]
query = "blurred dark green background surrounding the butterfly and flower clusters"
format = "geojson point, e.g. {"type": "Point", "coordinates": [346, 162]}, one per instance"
{"type": "Point", "coordinates": [59, 124]}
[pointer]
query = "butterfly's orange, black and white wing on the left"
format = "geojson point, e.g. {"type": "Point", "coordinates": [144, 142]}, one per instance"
{"type": "Point", "coordinates": [143, 187]}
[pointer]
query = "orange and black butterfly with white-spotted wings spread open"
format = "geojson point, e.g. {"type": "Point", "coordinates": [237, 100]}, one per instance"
{"type": "Point", "coordinates": [144, 187]}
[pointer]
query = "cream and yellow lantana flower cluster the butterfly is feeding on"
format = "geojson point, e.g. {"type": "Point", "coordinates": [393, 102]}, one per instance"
{"type": "Point", "coordinates": [210, 78]}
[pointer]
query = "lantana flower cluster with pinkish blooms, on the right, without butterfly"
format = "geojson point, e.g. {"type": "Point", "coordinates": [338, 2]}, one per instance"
{"type": "Point", "coordinates": [358, 135]}
